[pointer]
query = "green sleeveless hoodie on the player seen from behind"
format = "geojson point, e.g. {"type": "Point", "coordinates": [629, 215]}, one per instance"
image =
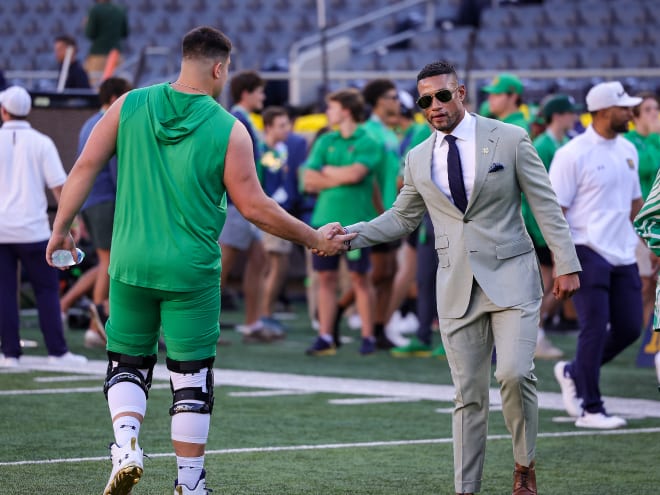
{"type": "Point", "coordinates": [171, 201]}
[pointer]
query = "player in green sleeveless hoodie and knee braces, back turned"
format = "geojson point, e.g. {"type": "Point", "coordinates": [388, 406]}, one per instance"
{"type": "Point", "coordinates": [178, 153]}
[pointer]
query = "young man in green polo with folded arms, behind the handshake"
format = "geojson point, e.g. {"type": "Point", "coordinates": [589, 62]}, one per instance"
{"type": "Point", "coordinates": [340, 169]}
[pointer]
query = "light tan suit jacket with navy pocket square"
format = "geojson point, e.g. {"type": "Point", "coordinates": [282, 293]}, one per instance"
{"type": "Point", "coordinates": [489, 243]}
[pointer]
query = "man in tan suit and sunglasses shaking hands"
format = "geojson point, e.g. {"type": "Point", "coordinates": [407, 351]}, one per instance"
{"type": "Point", "coordinates": [470, 175]}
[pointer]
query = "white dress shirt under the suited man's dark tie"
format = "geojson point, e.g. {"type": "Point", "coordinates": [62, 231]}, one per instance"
{"type": "Point", "coordinates": [465, 133]}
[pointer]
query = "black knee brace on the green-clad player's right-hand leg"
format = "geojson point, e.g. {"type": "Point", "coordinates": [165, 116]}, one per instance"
{"type": "Point", "coordinates": [181, 396]}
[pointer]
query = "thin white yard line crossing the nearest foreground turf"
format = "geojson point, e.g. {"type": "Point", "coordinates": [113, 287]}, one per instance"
{"type": "Point", "coordinates": [329, 446]}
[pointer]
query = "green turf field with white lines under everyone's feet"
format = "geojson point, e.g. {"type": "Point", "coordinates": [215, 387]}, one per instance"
{"type": "Point", "coordinates": [286, 423]}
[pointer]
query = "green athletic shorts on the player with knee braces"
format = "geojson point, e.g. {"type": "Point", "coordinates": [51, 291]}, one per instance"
{"type": "Point", "coordinates": [189, 321]}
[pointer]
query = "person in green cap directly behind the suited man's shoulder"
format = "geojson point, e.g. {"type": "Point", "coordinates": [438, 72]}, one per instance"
{"type": "Point", "coordinates": [505, 98]}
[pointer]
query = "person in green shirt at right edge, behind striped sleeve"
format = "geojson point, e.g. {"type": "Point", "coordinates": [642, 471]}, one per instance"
{"type": "Point", "coordinates": [646, 138]}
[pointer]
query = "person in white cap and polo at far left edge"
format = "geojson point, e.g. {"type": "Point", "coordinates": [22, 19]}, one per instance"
{"type": "Point", "coordinates": [29, 163]}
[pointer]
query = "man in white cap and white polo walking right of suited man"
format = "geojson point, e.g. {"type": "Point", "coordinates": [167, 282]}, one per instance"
{"type": "Point", "coordinates": [596, 181]}
